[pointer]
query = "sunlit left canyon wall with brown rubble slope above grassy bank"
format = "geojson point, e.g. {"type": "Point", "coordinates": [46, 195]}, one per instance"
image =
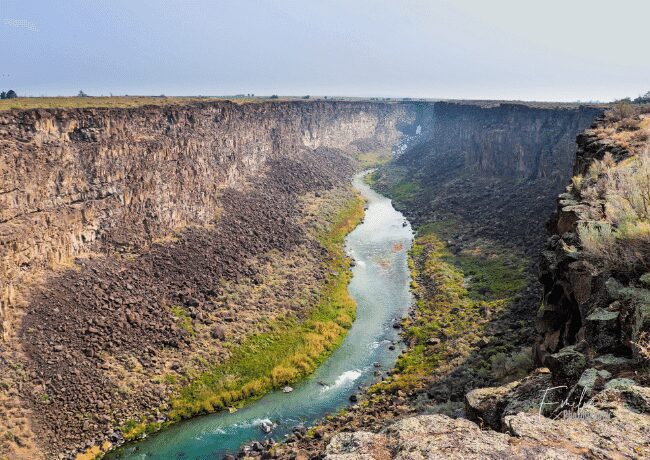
{"type": "Point", "coordinates": [136, 241]}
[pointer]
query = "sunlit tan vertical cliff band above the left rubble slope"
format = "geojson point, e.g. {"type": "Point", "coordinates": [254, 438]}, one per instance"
{"type": "Point", "coordinates": [94, 180]}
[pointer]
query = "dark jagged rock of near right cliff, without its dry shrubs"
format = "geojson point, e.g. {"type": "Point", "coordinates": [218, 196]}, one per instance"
{"type": "Point", "coordinates": [590, 302]}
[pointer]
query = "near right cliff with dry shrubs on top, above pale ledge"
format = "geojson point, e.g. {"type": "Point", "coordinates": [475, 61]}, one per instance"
{"type": "Point", "coordinates": [595, 293]}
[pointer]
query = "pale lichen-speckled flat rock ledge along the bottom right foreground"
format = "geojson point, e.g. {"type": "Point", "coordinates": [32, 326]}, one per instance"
{"type": "Point", "coordinates": [627, 435]}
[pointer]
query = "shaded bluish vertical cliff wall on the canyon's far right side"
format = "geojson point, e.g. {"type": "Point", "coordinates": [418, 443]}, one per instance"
{"type": "Point", "coordinates": [506, 140]}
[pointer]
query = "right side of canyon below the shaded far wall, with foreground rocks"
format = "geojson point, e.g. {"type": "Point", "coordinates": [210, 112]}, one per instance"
{"type": "Point", "coordinates": [469, 385]}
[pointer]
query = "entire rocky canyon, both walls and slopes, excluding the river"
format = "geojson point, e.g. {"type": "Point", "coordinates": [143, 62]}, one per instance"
{"type": "Point", "coordinates": [144, 248]}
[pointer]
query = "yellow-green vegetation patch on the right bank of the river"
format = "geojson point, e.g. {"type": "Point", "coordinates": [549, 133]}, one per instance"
{"type": "Point", "coordinates": [454, 294]}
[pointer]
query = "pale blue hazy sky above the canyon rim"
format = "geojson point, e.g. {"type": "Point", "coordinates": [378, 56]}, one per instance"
{"type": "Point", "coordinates": [485, 49]}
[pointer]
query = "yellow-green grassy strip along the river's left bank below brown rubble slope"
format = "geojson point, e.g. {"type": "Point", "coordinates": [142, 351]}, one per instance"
{"type": "Point", "coordinates": [288, 352]}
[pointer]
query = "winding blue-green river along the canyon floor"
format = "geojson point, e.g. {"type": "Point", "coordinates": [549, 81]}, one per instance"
{"type": "Point", "coordinates": [380, 287]}
